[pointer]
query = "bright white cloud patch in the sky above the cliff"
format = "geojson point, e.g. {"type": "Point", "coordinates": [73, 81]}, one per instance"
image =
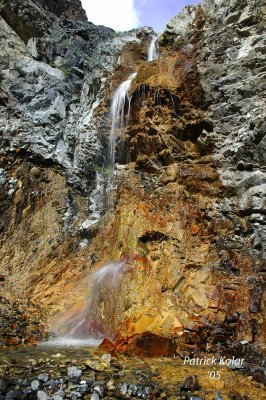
{"type": "Point", "coordinates": [120, 15]}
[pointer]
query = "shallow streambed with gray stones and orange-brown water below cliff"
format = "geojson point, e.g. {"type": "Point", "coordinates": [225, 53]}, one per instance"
{"type": "Point", "coordinates": [47, 372]}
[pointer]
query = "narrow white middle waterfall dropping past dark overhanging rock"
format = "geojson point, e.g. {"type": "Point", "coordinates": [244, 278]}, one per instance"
{"type": "Point", "coordinates": [119, 120]}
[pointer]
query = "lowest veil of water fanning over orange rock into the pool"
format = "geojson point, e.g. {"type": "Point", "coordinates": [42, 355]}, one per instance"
{"type": "Point", "coordinates": [90, 325]}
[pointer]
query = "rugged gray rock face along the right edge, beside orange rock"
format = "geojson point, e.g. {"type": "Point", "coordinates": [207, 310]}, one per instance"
{"type": "Point", "coordinates": [233, 76]}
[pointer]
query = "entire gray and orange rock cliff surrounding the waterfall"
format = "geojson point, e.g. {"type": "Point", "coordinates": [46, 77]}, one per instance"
{"type": "Point", "coordinates": [188, 212]}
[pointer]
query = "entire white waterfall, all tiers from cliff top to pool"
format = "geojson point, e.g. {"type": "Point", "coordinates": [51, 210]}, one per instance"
{"type": "Point", "coordinates": [95, 318]}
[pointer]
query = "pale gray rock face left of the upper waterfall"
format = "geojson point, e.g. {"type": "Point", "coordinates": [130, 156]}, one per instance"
{"type": "Point", "coordinates": [52, 88]}
